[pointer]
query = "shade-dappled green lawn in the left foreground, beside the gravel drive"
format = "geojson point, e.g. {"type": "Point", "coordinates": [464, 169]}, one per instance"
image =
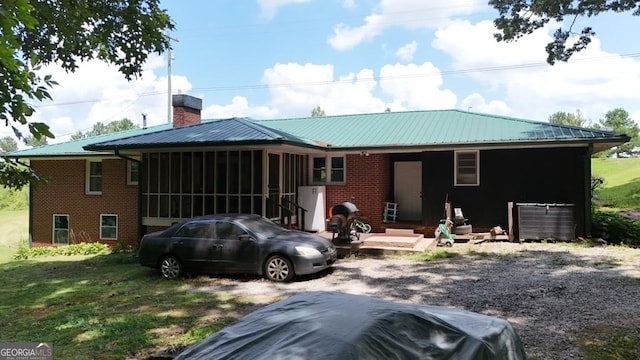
{"type": "Point", "coordinates": [107, 307]}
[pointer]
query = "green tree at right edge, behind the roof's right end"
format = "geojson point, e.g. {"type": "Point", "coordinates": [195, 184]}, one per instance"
{"type": "Point", "coordinates": [618, 120]}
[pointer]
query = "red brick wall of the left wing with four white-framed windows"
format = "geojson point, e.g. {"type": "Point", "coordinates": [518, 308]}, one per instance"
{"type": "Point", "coordinates": [65, 194]}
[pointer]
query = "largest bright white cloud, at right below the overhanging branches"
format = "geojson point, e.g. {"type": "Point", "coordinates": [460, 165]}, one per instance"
{"type": "Point", "coordinates": [593, 81]}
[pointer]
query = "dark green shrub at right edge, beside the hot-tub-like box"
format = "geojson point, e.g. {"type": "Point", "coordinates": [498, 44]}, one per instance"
{"type": "Point", "coordinates": [615, 228]}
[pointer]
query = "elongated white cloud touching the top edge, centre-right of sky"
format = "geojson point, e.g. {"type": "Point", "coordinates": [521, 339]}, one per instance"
{"type": "Point", "coordinates": [409, 14]}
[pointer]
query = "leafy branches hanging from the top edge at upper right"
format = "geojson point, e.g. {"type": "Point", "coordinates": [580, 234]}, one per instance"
{"type": "Point", "coordinates": [521, 17]}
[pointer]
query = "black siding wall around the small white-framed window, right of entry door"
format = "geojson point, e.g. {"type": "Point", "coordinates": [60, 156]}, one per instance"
{"type": "Point", "coordinates": [553, 175]}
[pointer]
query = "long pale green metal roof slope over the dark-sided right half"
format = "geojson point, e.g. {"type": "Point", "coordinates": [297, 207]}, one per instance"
{"type": "Point", "coordinates": [431, 128]}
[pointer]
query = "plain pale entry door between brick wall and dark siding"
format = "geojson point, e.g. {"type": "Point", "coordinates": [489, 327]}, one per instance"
{"type": "Point", "coordinates": [408, 190]}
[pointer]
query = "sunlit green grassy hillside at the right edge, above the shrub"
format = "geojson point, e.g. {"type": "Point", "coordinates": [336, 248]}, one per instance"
{"type": "Point", "coordinates": [621, 188]}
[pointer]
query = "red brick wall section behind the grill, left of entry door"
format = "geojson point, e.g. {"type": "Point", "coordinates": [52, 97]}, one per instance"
{"type": "Point", "coordinates": [367, 186]}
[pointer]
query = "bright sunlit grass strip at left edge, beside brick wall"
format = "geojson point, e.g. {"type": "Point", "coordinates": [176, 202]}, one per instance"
{"type": "Point", "coordinates": [14, 228]}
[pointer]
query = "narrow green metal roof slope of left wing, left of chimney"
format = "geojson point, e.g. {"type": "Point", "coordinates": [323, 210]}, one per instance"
{"type": "Point", "coordinates": [76, 147]}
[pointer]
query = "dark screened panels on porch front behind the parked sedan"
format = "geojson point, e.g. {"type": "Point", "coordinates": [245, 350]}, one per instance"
{"type": "Point", "coordinates": [178, 185]}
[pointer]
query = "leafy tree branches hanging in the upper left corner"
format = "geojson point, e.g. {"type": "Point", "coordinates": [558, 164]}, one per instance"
{"type": "Point", "coordinates": [37, 33]}
